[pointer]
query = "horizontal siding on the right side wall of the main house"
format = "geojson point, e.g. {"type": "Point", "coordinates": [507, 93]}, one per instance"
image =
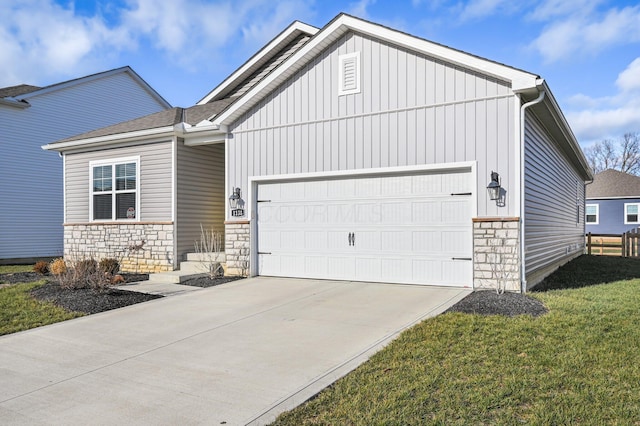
{"type": "Point", "coordinates": [554, 204]}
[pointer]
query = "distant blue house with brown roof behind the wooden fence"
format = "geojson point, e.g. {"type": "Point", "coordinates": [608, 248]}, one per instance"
{"type": "Point", "coordinates": [613, 203]}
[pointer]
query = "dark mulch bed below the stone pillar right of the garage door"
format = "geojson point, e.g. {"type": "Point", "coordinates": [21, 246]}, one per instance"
{"type": "Point", "coordinates": [488, 302]}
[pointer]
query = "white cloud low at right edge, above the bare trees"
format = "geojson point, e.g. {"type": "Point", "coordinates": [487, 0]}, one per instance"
{"type": "Point", "coordinates": [595, 119]}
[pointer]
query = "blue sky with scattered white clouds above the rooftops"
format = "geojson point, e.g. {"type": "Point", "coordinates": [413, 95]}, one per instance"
{"type": "Point", "coordinates": [587, 50]}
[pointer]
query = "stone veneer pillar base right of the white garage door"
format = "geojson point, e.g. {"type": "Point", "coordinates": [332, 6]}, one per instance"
{"type": "Point", "coordinates": [496, 253]}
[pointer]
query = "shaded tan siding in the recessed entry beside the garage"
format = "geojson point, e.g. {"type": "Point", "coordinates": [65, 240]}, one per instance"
{"type": "Point", "coordinates": [200, 194]}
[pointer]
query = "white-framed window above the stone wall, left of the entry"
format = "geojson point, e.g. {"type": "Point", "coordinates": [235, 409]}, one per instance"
{"type": "Point", "coordinates": [114, 189]}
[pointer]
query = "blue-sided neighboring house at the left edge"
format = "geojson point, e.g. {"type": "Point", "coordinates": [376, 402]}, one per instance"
{"type": "Point", "coordinates": [31, 180]}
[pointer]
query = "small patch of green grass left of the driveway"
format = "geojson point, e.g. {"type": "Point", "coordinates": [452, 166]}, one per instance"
{"type": "Point", "coordinates": [19, 311]}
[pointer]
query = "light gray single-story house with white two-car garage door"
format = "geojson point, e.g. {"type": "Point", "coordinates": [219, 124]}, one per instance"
{"type": "Point", "coordinates": [351, 152]}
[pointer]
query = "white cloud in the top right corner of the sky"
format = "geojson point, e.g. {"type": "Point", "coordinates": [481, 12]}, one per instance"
{"type": "Point", "coordinates": [588, 33]}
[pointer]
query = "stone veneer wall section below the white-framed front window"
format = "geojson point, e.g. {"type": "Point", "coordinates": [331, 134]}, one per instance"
{"type": "Point", "coordinates": [119, 241]}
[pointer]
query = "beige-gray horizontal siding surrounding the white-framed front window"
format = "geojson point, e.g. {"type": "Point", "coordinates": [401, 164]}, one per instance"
{"type": "Point", "coordinates": [155, 181]}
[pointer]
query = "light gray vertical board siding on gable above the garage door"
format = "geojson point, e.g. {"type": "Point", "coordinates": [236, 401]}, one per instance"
{"type": "Point", "coordinates": [411, 110]}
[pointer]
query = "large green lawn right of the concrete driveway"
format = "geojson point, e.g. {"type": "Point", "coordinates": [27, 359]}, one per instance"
{"type": "Point", "coordinates": [578, 364]}
